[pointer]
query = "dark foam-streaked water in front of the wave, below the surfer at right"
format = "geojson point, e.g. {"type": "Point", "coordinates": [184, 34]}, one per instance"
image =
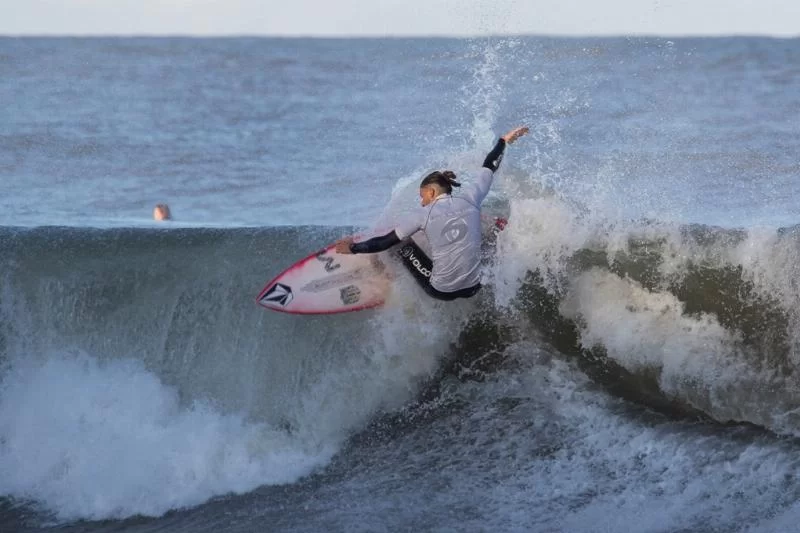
{"type": "Point", "coordinates": [551, 452]}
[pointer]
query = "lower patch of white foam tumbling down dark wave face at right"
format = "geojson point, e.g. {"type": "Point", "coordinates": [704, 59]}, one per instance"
{"type": "Point", "coordinates": [695, 358]}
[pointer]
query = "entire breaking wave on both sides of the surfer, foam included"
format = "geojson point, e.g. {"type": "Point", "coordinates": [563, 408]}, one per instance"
{"type": "Point", "coordinates": [691, 320]}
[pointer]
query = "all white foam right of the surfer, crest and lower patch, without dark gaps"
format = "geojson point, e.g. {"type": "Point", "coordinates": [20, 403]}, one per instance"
{"type": "Point", "coordinates": [696, 358]}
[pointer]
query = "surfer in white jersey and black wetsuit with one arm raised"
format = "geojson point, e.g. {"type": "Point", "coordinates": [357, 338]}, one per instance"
{"type": "Point", "coordinates": [452, 224]}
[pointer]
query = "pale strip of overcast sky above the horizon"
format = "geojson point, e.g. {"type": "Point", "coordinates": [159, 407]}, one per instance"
{"type": "Point", "coordinates": [400, 17]}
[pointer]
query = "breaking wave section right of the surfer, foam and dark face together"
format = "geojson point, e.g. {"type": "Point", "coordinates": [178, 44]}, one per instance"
{"type": "Point", "coordinates": [697, 317]}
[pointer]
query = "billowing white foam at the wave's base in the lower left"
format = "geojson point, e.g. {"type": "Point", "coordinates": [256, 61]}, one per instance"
{"type": "Point", "coordinates": [106, 440]}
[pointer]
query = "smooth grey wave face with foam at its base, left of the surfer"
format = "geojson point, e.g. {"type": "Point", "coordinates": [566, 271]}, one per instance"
{"type": "Point", "coordinates": [145, 347]}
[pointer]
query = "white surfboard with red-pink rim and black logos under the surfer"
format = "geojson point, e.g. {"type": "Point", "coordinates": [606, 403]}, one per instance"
{"type": "Point", "coordinates": [326, 282]}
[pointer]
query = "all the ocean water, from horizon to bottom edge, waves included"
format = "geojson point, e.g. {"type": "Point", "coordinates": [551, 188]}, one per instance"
{"type": "Point", "coordinates": [632, 364]}
